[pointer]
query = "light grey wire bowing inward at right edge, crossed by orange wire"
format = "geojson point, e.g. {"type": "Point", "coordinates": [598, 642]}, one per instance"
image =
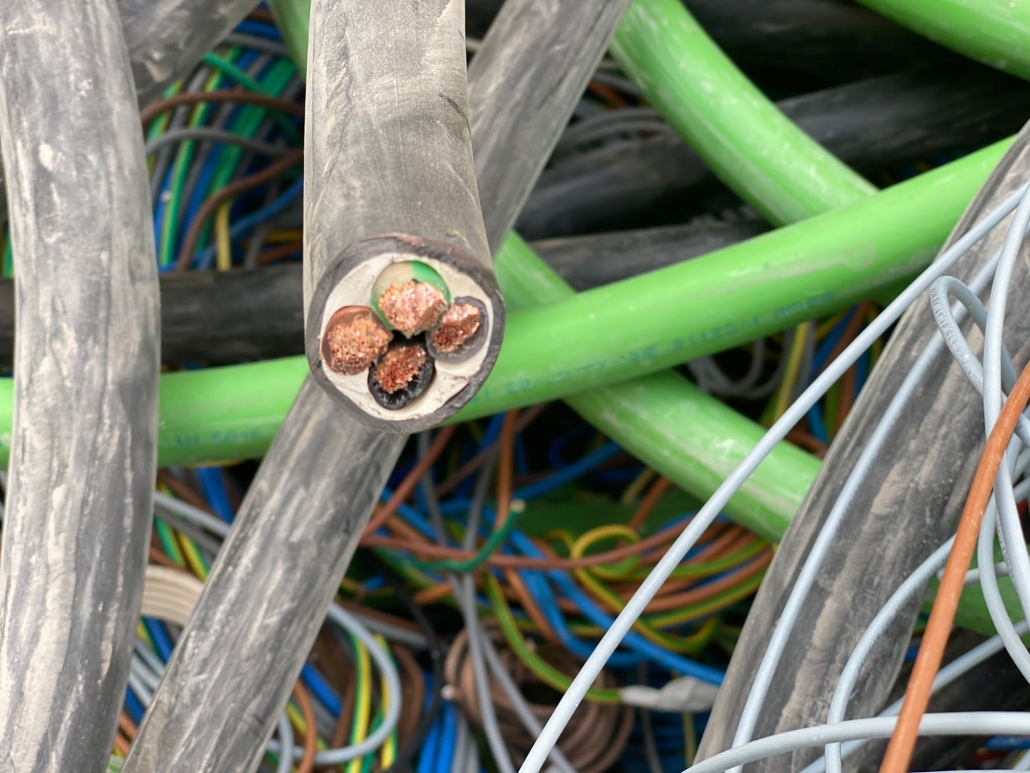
{"type": "Point", "coordinates": [1011, 530]}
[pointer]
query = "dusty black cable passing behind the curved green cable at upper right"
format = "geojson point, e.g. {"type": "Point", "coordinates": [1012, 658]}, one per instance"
{"type": "Point", "coordinates": [876, 126]}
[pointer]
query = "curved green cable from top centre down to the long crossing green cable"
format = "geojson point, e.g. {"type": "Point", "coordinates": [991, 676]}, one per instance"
{"type": "Point", "coordinates": [742, 137]}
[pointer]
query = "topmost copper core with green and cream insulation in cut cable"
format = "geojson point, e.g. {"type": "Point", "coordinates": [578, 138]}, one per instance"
{"type": "Point", "coordinates": [410, 297]}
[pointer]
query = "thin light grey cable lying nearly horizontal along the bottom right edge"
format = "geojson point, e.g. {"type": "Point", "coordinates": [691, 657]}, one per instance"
{"type": "Point", "coordinates": [957, 724]}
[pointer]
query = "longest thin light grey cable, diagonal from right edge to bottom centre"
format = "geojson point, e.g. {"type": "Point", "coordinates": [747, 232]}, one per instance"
{"type": "Point", "coordinates": [617, 631]}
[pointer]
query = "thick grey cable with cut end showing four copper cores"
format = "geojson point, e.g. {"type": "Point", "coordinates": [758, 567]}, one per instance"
{"type": "Point", "coordinates": [404, 318]}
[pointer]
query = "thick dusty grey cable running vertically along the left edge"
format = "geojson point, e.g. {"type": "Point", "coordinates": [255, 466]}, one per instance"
{"type": "Point", "coordinates": [84, 451]}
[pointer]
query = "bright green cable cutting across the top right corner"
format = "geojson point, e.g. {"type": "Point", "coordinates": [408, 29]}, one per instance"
{"type": "Point", "coordinates": [995, 32]}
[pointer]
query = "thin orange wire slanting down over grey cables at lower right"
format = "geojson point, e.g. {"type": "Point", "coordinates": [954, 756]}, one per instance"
{"type": "Point", "coordinates": [932, 650]}
